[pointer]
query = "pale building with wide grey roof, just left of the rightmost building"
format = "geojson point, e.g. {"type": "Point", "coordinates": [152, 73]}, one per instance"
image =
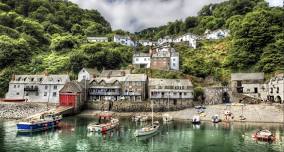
{"type": "Point", "coordinates": [250, 84]}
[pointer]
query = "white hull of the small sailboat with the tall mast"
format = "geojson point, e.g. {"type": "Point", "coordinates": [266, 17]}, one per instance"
{"type": "Point", "coordinates": [147, 130]}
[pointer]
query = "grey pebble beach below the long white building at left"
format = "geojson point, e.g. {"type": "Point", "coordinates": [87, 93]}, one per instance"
{"type": "Point", "coordinates": [20, 110]}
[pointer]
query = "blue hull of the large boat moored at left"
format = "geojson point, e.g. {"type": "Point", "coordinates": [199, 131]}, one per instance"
{"type": "Point", "coordinates": [32, 127]}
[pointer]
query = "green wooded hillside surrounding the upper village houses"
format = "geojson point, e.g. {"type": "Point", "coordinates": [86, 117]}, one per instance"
{"type": "Point", "coordinates": [39, 35]}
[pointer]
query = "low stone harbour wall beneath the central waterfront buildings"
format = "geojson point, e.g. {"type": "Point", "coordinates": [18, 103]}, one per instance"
{"type": "Point", "coordinates": [145, 106]}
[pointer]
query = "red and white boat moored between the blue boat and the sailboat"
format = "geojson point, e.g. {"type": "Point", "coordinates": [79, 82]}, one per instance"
{"type": "Point", "coordinates": [96, 127]}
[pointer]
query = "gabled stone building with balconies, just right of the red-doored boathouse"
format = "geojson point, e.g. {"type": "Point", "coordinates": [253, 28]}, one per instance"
{"type": "Point", "coordinates": [118, 85]}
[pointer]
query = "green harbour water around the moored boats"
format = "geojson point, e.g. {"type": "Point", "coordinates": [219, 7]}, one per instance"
{"type": "Point", "coordinates": [174, 137]}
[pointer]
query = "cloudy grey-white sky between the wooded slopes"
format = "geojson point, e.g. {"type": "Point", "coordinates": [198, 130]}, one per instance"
{"type": "Point", "coordinates": [135, 15]}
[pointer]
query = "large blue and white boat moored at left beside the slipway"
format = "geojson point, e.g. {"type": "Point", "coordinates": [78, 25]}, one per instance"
{"type": "Point", "coordinates": [44, 122]}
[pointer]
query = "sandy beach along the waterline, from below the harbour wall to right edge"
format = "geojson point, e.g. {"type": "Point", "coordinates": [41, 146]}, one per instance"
{"type": "Point", "coordinates": [258, 113]}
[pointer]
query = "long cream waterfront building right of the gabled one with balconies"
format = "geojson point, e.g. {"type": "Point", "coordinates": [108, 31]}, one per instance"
{"type": "Point", "coordinates": [173, 90]}
